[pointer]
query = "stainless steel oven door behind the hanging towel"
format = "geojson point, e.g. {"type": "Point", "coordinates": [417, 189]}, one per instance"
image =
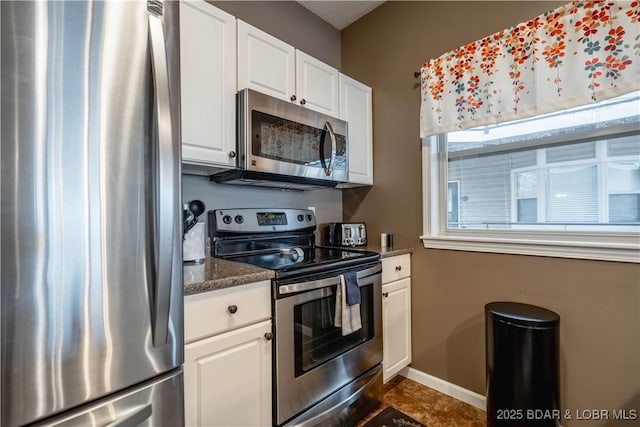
{"type": "Point", "coordinates": [313, 358]}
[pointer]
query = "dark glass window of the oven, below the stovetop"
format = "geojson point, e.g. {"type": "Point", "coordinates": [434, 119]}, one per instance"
{"type": "Point", "coordinates": [317, 339]}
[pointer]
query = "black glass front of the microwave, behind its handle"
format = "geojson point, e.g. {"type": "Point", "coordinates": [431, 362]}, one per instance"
{"type": "Point", "coordinates": [283, 140]}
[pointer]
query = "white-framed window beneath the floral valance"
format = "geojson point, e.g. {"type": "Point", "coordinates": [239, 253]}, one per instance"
{"type": "Point", "coordinates": [561, 184]}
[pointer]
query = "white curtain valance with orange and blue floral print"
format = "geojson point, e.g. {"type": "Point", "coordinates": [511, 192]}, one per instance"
{"type": "Point", "coordinates": [582, 52]}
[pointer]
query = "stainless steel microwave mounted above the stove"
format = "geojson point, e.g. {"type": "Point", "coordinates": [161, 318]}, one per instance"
{"type": "Point", "coordinates": [281, 144]}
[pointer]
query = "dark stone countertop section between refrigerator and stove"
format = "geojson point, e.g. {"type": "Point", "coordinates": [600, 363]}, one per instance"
{"type": "Point", "coordinates": [217, 273]}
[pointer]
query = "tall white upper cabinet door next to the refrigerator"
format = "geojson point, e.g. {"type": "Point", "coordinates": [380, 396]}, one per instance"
{"type": "Point", "coordinates": [208, 80]}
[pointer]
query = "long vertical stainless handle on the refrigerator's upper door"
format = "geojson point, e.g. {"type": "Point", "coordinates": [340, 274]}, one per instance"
{"type": "Point", "coordinates": [165, 191]}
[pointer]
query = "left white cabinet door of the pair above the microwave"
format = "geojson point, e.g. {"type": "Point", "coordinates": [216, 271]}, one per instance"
{"type": "Point", "coordinates": [265, 63]}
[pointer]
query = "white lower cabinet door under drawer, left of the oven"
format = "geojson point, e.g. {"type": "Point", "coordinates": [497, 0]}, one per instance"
{"type": "Point", "coordinates": [228, 378]}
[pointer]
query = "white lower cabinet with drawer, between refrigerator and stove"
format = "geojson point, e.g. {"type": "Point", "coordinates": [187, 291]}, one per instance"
{"type": "Point", "coordinates": [227, 375]}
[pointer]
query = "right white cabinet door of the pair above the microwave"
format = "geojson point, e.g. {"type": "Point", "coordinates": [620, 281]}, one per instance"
{"type": "Point", "coordinates": [317, 85]}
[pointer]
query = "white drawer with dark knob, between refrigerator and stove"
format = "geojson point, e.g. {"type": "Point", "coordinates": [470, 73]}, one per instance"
{"type": "Point", "coordinates": [210, 313]}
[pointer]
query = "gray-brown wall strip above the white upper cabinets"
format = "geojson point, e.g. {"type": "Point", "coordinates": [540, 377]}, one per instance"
{"type": "Point", "coordinates": [291, 23]}
